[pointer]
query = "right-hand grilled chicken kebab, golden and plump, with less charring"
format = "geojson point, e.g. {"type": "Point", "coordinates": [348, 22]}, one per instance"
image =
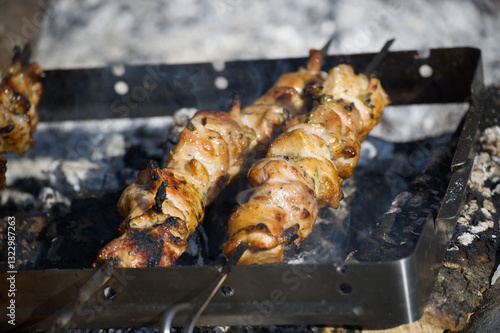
{"type": "Point", "coordinates": [305, 166]}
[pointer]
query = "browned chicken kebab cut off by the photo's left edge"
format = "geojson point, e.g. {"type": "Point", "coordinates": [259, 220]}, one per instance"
{"type": "Point", "coordinates": [20, 92]}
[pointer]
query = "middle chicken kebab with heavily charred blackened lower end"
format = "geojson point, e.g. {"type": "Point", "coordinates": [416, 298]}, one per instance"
{"type": "Point", "coordinates": [165, 206]}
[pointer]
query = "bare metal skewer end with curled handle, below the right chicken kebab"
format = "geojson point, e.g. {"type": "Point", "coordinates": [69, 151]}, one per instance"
{"type": "Point", "coordinates": [201, 304]}
